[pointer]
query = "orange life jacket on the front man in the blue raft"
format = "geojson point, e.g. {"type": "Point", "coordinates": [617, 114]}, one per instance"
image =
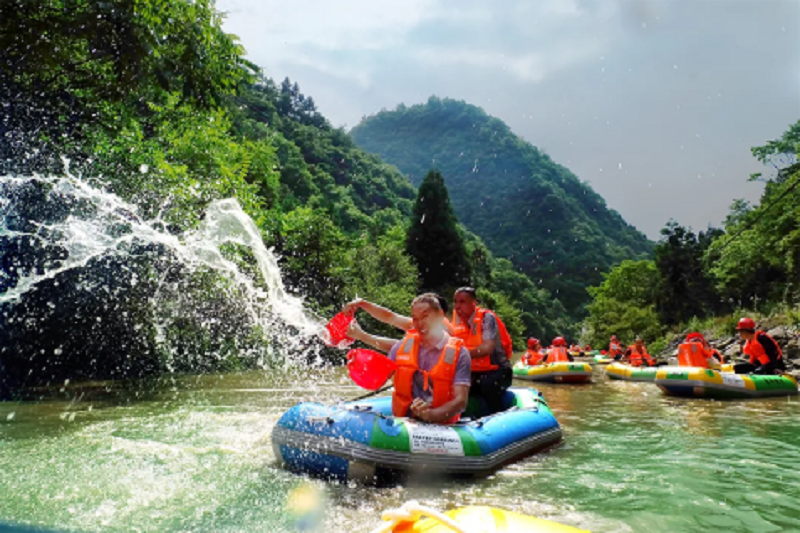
{"type": "Point", "coordinates": [442, 375]}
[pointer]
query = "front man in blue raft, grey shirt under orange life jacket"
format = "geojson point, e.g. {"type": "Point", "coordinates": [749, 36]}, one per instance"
{"type": "Point", "coordinates": [433, 373]}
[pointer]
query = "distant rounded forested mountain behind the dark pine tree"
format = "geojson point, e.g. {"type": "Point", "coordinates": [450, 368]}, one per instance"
{"type": "Point", "coordinates": [525, 206]}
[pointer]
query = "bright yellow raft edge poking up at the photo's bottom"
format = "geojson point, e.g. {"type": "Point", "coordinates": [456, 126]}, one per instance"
{"type": "Point", "coordinates": [474, 519]}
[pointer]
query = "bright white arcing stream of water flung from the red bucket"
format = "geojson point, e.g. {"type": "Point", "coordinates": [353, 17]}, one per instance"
{"type": "Point", "coordinates": [83, 222]}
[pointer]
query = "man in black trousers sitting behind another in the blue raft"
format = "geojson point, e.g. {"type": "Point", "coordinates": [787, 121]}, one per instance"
{"type": "Point", "coordinates": [483, 335]}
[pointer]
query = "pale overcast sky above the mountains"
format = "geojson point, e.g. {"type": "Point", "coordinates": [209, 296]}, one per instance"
{"type": "Point", "coordinates": [655, 103]}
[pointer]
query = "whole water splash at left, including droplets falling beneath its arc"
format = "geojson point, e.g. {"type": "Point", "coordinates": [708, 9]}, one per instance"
{"type": "Point", "coordinates": [62, 231]}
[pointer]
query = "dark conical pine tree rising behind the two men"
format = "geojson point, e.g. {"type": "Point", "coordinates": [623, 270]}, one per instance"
{"type": "Point", "coordinates": [433, 239]}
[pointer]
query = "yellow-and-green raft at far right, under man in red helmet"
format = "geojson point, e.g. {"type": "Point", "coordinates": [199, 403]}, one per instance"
{"type": "Point", "coordinates": [705, 383]}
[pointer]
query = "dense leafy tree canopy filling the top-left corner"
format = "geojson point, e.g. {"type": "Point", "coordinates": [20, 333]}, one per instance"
{"type": "Point", "coordinates": [76, 66]}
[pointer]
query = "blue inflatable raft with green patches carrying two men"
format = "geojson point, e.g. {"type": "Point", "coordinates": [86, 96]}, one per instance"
{"type": "Point", "coordinates": [363, 441]}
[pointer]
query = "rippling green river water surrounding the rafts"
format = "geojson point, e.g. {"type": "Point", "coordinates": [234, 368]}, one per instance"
{"type": "Point", "coordinates": [194, 454]}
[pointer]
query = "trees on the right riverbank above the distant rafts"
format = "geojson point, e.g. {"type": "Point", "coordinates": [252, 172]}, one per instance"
{"type": "Point", "coordinates": [697, 280]}
